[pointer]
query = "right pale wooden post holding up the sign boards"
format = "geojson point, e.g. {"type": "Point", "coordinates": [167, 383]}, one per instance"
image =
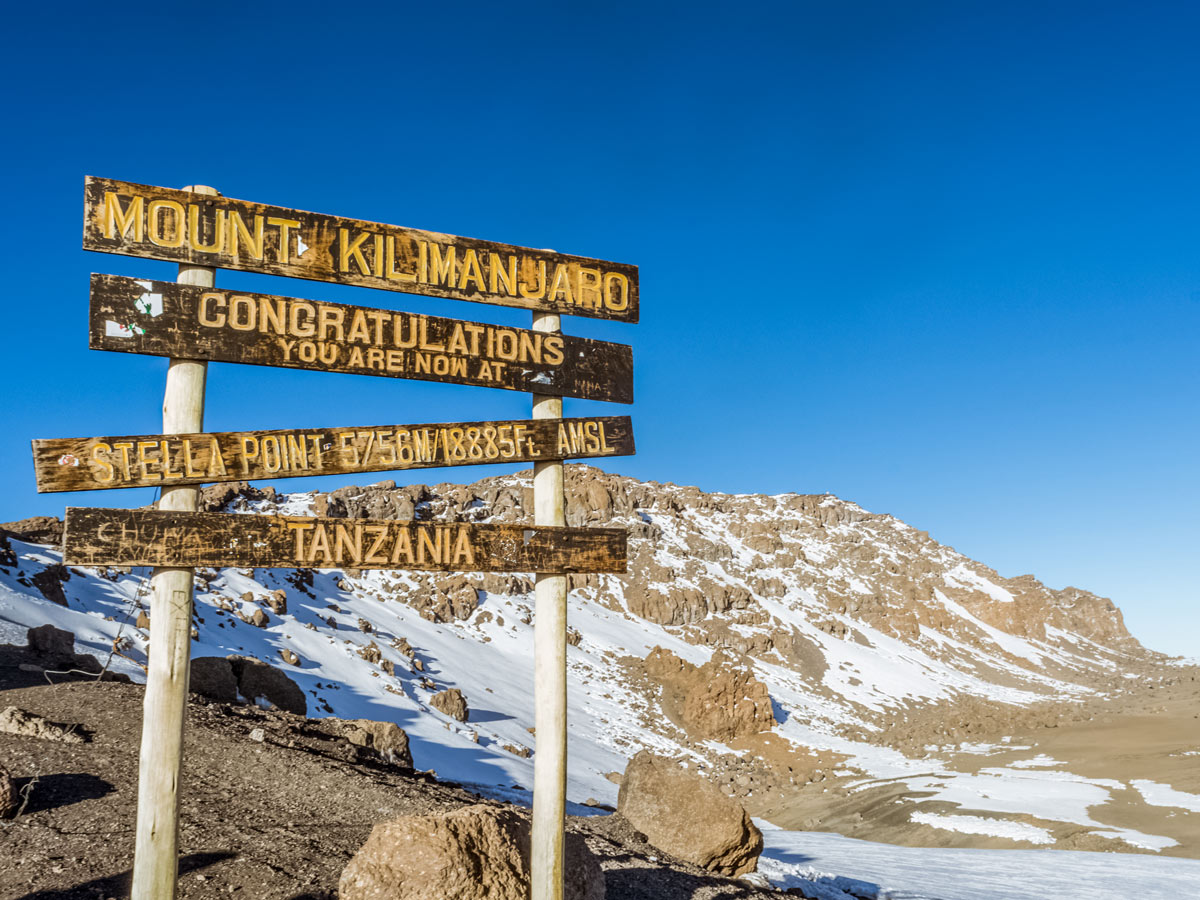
{"type": "Point", "coordinates": [550, 670]}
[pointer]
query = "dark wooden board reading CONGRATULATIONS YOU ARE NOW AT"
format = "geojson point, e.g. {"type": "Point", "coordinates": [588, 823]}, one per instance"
{"type": "Point", "coordinates": [185, 322]}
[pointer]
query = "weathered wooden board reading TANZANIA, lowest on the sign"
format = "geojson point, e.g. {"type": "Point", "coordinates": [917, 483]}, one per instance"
{"type": "Point", "coordinates": [118, 537]}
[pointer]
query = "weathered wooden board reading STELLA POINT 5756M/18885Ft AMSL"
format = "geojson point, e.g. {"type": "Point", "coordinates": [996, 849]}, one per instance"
{"type": "Point", "coordinates": [158, 460]}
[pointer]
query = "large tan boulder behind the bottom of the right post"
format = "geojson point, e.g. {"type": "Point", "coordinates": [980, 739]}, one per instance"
{"type": "Point", "coordinates": [471, 854]}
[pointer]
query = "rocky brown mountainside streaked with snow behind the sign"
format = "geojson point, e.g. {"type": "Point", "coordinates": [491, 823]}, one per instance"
{"type": "Point", "coordinates": [782, 645]}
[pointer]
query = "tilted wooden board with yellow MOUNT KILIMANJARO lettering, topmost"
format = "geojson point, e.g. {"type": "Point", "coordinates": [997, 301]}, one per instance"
{"type": "Point", "coordinates": [184, 227]}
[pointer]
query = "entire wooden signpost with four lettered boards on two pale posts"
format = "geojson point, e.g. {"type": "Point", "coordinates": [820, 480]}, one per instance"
{"type": "Point", "coordinates": [193, 322]}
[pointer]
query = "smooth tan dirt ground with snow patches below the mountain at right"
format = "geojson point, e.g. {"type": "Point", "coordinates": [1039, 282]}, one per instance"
{"type": "Point", "coordinates": [1153, 733]}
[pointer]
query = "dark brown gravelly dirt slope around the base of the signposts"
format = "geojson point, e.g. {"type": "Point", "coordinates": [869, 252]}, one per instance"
{"type": "Point", "coordinates": [272, 820]}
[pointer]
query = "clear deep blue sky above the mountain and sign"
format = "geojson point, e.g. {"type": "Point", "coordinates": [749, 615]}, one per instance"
{"type": "Point", "coordinates": [943, 260]}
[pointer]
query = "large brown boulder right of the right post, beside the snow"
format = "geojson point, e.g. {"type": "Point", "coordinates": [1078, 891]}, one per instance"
{"type": "Point", "coordinates": [683, 815]}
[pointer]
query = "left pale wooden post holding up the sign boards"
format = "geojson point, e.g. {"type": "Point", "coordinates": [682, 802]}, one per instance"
{"type": "Point", "coordinates": [155, 862]}
